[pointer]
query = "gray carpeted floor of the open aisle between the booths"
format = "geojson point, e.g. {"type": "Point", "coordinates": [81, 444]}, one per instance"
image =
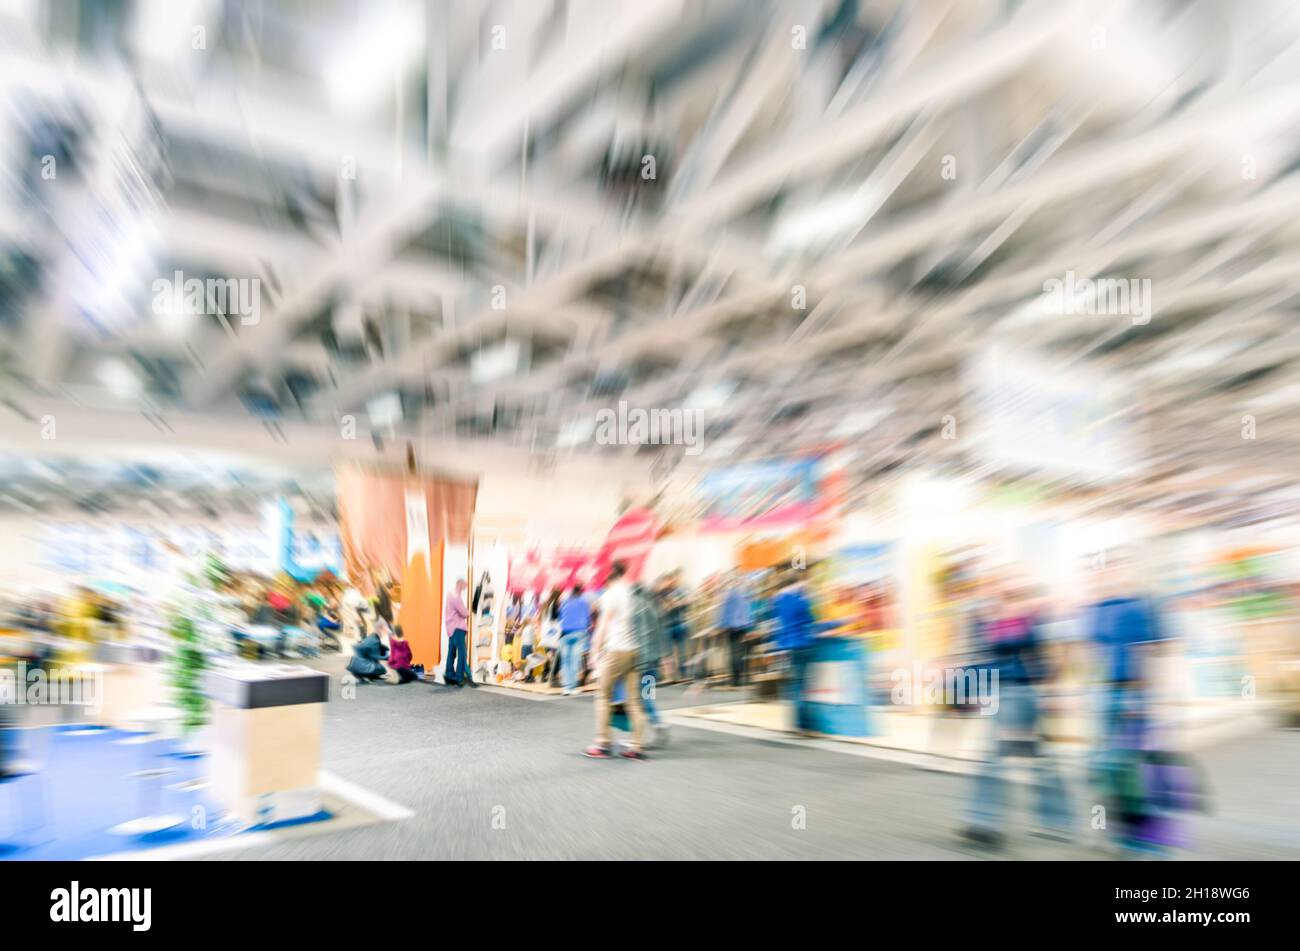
{"type": "Point", "coordinates": [501, 776]}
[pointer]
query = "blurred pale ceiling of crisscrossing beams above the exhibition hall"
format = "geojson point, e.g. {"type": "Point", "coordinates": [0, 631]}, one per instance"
{"type": "Point", "coordinates": [449, 212]}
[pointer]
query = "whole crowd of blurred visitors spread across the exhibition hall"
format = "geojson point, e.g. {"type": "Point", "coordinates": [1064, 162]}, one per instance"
{"type": "Point", "coordinates": [742, 629]}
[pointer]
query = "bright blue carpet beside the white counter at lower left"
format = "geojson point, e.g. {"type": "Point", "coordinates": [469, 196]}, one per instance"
{"type": "Point", "coordinates": [86, 789]}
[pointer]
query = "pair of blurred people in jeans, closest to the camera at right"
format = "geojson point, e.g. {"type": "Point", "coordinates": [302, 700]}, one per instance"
{"type": "Point", "coordinates": [1111, 645]}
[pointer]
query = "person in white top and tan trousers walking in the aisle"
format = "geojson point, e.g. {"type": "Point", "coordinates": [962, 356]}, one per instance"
{"type": "Point", "coordinates": [616, 650]}
